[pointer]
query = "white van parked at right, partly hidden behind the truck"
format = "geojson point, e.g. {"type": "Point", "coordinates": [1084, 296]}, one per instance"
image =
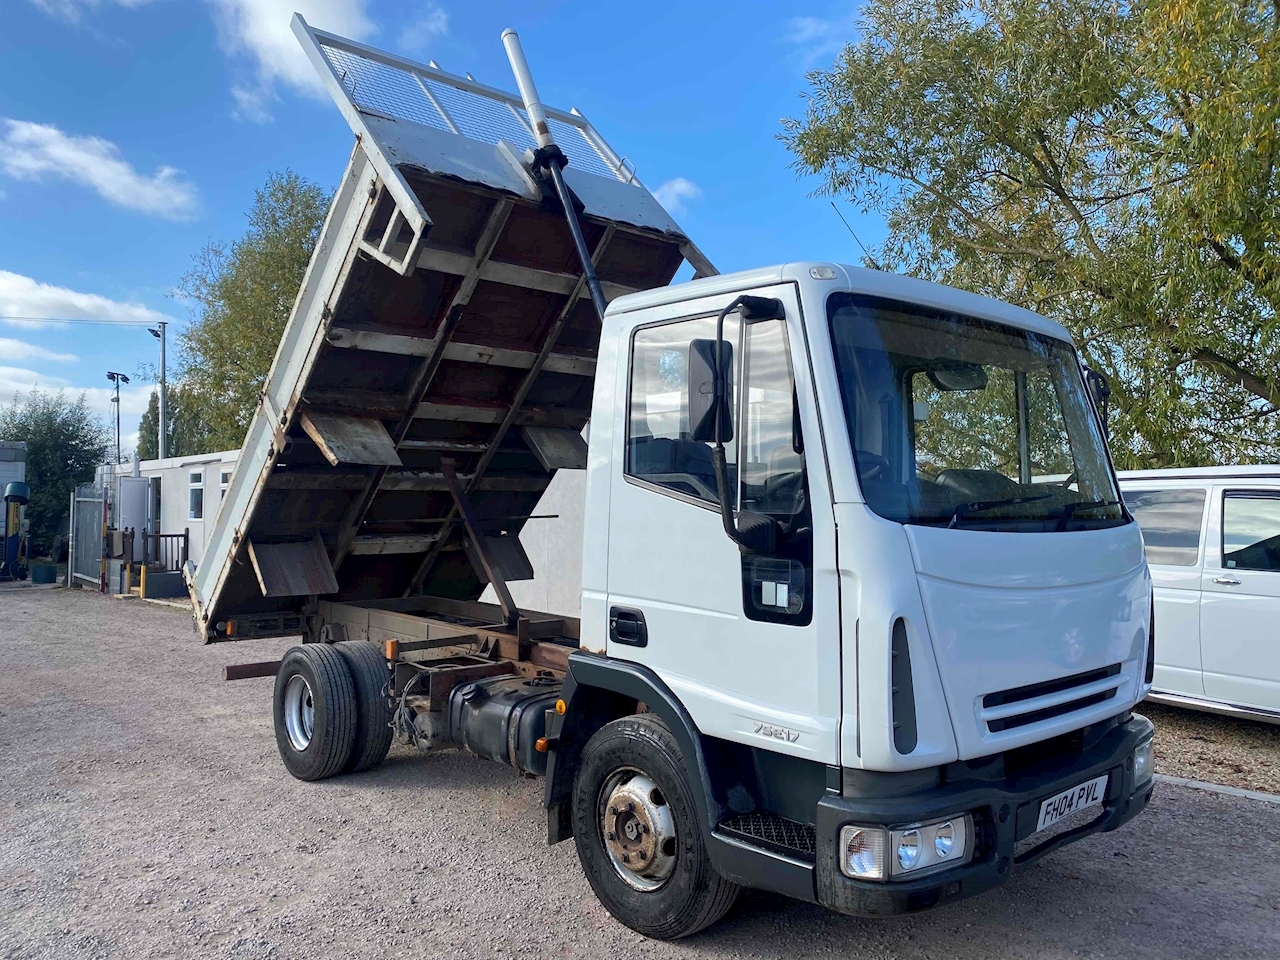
{"type": "Point", "coordinates": [1213, 540]}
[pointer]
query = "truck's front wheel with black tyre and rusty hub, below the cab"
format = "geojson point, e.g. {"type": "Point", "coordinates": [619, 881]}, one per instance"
{"type": "Point", "coordinates": [638, 836]}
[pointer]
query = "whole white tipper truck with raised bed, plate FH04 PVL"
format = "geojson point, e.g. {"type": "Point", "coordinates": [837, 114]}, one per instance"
{"type": "Point", "coordinates": [863, 618]}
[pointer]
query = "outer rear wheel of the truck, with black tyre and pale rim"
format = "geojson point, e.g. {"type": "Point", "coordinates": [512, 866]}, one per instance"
{"type": "Point", "coordinates": [316, 712]}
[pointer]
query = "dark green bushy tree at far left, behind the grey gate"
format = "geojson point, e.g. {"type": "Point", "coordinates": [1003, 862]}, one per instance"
{"type": "Point", "coordinates": [65, 444]}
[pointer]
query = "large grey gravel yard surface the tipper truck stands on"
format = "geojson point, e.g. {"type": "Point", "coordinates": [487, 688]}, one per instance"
{"type": "Point", "coordinates": [145, 815]}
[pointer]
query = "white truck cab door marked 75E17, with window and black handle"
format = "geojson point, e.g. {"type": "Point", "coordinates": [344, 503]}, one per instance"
{"type": "Point", "coordinates": [749, 644]}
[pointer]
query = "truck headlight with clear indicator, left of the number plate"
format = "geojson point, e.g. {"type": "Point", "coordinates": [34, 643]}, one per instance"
{"type": "Point", "coordinates": [865, 852]}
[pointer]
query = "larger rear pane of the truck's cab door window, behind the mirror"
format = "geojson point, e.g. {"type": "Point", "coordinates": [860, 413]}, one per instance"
{"type": "Point", "coordinates": [660, 450]}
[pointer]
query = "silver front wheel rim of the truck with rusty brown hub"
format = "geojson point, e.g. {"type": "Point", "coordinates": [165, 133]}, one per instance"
{"type": "Point", "coordinates": [639, 830]}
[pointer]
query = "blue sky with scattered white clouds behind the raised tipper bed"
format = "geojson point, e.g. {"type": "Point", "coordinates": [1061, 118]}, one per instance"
{"type": "Point", "coordinates": [134, 132]}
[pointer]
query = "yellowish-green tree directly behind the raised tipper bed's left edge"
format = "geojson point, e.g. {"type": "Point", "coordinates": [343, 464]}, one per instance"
{"type": "Point", "coordinates": [244, 296]}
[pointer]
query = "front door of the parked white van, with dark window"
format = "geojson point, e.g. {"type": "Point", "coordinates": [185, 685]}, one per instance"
{"type": "Point", "coordinates": [1241, 600]}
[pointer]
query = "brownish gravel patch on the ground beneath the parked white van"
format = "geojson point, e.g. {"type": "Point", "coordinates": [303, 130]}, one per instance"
{"type": "Point", "coordinates": [1218, 749]}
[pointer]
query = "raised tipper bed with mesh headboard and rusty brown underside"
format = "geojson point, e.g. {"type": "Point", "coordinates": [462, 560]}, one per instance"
{"type": "Point", "coordinates": [444, 316]}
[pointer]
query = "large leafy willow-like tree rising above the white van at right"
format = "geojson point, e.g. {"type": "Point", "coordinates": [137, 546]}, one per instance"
{"type": "Point", "coordinates": [1112, 167]}
